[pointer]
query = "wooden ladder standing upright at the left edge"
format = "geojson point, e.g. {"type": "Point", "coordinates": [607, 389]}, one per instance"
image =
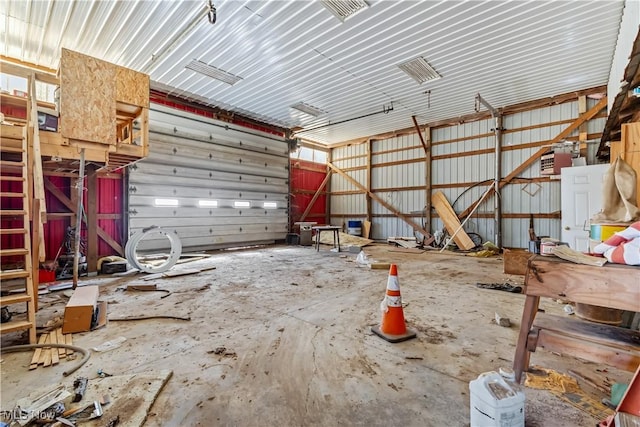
{"type": "Point", "coordinates": [15, 228]}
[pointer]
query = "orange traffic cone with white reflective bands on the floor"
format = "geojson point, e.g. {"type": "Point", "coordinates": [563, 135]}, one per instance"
{"type": "Point", "coordinates": [393, 328]}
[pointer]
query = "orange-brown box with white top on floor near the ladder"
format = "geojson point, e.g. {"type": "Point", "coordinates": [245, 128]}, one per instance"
{"type": "Point", "coordinates": [81, 312]}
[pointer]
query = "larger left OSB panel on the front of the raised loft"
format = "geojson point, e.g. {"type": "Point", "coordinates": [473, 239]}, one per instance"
{"type": "Point", "coordinates": [87, 98]}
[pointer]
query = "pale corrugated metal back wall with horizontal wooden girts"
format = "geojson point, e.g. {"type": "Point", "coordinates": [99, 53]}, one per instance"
{"type": "Point", "coordinates": [398, 175]}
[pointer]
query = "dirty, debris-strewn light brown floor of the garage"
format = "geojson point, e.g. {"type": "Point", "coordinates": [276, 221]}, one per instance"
{"type": "Point", "coordinates": [280, 336]}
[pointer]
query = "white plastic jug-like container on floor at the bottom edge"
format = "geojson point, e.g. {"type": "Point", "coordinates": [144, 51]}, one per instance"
{"type": "Point", "coordinates": [495, 402]}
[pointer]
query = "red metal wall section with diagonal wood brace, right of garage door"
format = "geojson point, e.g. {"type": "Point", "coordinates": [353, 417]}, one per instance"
{"type": "Point", "coordinates": [306, 177]}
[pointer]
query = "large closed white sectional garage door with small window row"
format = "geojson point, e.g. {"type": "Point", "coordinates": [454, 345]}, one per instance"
{"type": "Point", "coordinates": [214, 184]}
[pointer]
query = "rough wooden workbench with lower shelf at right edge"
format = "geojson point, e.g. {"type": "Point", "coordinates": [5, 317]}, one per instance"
{"type": "Point", "coordinates": [613, 286]}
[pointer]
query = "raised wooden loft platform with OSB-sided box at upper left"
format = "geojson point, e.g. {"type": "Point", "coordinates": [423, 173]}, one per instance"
{"type": "Point", "coordinates": [103, 109]}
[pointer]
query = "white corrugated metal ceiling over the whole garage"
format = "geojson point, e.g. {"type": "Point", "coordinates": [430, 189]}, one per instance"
{"type": "Point", "coordinates": [297, 51]}
